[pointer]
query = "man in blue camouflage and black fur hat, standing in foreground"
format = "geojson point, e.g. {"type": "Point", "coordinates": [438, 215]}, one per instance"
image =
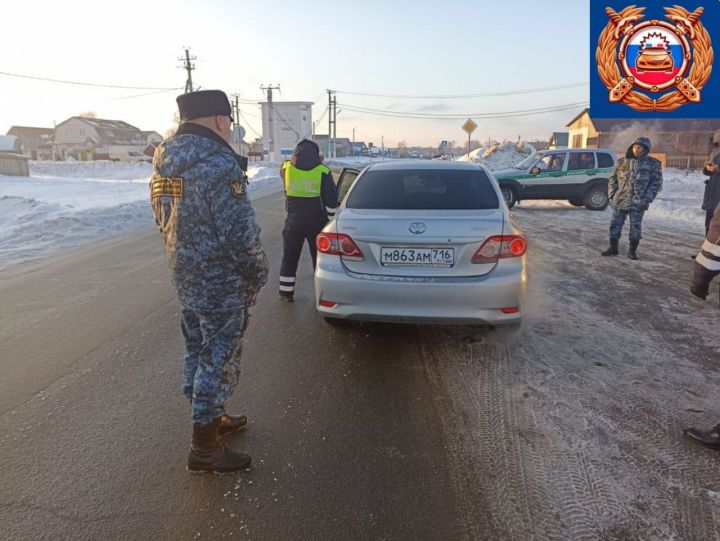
{"type": "Point", "coordinates": [199, 198]}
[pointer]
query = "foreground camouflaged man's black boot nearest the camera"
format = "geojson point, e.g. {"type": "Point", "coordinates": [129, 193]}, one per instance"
{"type": "Point", "coordinates": [207, 454]}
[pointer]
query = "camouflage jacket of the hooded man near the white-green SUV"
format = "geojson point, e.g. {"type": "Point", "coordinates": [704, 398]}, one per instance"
{"type": "Point", "coordinates": [635, 183]}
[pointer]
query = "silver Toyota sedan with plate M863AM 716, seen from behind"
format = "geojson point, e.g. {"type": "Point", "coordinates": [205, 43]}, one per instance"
{"type": "Point", "coordinates": [425, 242]}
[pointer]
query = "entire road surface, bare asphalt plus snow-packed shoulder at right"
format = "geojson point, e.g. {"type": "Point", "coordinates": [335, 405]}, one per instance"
{"type": "Point", "coordinates": [569, 429]}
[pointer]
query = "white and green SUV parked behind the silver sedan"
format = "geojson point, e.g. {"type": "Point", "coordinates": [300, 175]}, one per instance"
{"type": "Point", "coordinates": [578, 175]}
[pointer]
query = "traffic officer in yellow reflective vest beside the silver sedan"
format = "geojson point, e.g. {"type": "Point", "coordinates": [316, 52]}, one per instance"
{"type": "Point", "coordinates": [311, 200]}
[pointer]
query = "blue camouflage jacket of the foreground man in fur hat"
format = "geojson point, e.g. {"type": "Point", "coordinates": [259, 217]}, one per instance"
{"type": "Point", "coordinates": [201, 207]}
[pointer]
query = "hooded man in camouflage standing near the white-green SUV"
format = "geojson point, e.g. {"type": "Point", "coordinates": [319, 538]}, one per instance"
{"type": "Point", "coordinates": [634, 184]}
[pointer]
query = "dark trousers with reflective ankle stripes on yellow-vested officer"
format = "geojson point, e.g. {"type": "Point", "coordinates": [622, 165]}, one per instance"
{"type": "Point", "coordinates": [299, 228]}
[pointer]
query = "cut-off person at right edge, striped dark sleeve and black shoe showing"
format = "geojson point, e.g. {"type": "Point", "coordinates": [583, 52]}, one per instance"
{"type": "Point", "coordinates": [707, 267]}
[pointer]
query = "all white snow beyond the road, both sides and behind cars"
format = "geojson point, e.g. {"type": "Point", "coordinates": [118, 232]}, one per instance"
{"type": "Point", "coordinates": [65, 204]}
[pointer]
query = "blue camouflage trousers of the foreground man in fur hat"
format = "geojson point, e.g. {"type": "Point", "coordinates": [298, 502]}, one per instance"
{"type": "Point", "coordinates": [213, 345]}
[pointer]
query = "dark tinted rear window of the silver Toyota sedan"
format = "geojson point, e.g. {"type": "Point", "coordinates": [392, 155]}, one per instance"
{"type": "Point", "coordinates": [431, 189]}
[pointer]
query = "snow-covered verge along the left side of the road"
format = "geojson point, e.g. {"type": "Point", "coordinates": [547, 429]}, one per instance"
{"type": "Point", "coordinates": [65, 204]}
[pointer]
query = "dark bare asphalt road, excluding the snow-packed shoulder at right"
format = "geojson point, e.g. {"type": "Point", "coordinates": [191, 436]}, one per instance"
{"type": "Point", "coordinates": [344, 435]}
